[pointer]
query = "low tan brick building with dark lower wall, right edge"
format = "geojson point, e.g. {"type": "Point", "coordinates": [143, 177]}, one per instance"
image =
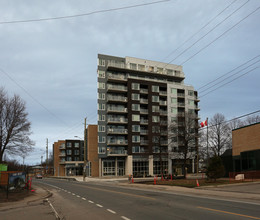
{"type": "Point", "coordinates": [246, 148]}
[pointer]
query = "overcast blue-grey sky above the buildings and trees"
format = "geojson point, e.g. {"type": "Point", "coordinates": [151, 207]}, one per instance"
{"type": "Point", "coordinates": [52, 64]}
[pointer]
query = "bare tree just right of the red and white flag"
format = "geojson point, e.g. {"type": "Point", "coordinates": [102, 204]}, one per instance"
{"type": "Point", "coordinates": [219, 134]}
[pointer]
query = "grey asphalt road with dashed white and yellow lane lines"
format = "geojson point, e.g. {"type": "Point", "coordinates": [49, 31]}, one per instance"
{"type": "Point", "coordinates": [78, 200]}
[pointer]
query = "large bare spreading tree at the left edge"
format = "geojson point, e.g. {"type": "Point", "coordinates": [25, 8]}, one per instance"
{"type": "Point", "coordinates": [14, 126]}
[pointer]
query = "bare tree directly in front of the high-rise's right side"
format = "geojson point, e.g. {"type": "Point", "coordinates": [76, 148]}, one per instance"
{"type": "Point", "coordinates": [185, 132]}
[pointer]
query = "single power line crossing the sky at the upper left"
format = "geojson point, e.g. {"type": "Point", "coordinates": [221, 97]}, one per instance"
{"type": "Point", "coordinates": [84, 14]}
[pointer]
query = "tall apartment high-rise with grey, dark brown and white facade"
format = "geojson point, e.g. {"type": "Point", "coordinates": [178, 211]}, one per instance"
{"type": "Point", "coordinates": [137, 100]}
